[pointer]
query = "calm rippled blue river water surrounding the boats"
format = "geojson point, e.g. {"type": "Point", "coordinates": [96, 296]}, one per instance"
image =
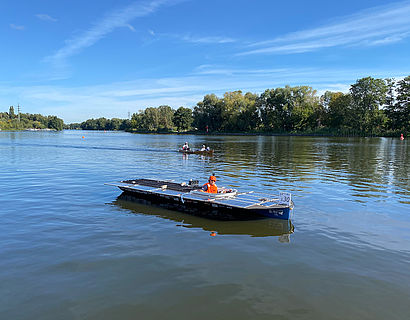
{"type": "Point", "coordinates": [72, 248]}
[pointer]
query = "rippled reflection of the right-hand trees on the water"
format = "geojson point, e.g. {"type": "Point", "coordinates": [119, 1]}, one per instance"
{"type": "Point", "coordinates": [369, 168]}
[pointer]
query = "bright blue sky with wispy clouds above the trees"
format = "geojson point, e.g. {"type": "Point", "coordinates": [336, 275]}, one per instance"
{"type": "Point", "coordinates": [89, 59]}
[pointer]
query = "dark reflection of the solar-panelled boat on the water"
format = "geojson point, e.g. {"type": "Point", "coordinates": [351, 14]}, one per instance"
{"type": "Point", "coordinates": [264, 227]}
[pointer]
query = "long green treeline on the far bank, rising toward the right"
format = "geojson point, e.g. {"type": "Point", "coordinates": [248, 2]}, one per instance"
{"type": "Point", "coordinates": [371, 107]}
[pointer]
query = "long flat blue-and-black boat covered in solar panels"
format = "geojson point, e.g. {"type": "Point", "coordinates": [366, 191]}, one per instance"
{"type": "Point", "coordinates": [226, 204]}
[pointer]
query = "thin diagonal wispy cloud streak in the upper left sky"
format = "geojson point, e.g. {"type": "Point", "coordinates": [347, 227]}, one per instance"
{"type": "Point", "coordinates": [119, 18]}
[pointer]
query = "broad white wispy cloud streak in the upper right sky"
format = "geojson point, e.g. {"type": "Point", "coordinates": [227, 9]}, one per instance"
{"type": "Point", "coordinates": [376, 26]}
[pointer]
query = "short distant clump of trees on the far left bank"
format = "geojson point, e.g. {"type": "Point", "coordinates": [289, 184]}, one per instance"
{"type": "Point", "coordinates": [12, 121]}
